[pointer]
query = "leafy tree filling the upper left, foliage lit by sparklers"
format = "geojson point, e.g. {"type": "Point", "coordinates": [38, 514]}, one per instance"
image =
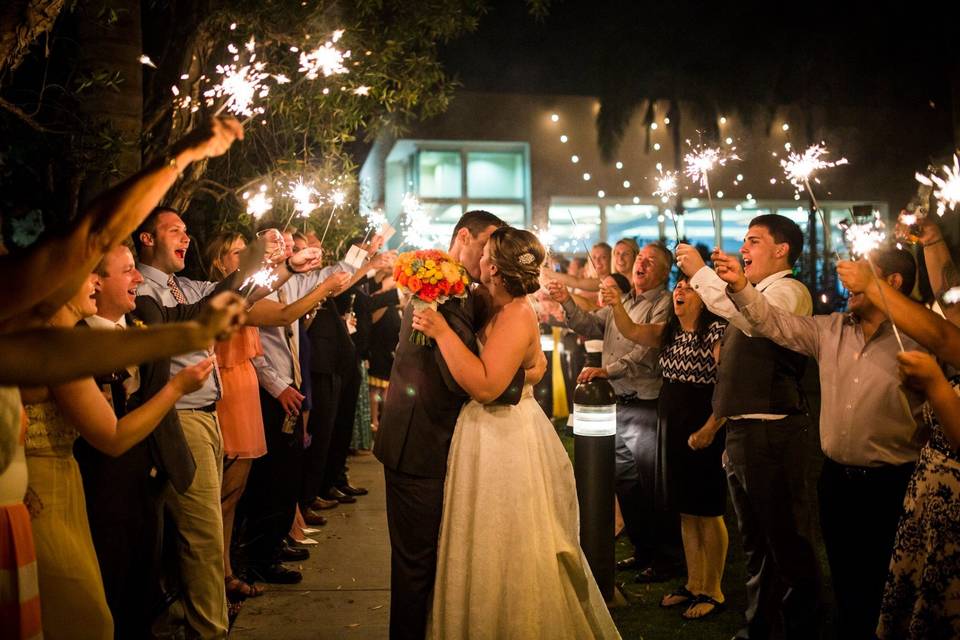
{"type": "Point", "coordinates": [58, 139]}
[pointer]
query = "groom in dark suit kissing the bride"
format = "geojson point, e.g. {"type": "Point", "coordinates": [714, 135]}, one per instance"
{"type": "Point", "coordinates": [416, 426]}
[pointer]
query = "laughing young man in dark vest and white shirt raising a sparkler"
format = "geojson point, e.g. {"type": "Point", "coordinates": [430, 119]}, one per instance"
{"type": "Point", "coordinates": [759, 392]}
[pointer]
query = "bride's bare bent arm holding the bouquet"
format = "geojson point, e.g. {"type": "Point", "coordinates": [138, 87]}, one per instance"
{"type": "Point", "coordinates": [485, 377]}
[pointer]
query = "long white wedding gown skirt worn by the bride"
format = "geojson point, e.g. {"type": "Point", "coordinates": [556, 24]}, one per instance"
{"type": "Point", "coordinates": [509, 562]}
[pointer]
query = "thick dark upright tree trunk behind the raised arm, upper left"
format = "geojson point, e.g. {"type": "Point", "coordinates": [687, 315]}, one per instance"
{"type": "Point", "coordinates": [110, 43]}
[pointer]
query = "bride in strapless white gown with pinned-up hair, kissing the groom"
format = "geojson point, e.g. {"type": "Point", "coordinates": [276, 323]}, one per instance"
{"type": "Point", "coordinates": [509, 564]}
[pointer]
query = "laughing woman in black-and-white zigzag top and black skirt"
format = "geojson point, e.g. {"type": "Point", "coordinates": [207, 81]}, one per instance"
{"type": "Point", "coordinates": [690, 472]}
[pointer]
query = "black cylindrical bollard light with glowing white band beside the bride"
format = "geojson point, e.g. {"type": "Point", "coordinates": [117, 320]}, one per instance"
{"type": "Point", "coordinates": [594, 431]}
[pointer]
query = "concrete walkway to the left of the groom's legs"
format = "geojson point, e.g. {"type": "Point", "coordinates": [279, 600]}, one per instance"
{"type": "Point", "coordinates": [345, 591]}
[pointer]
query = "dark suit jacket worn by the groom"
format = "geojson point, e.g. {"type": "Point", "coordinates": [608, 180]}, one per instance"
{"type": "Point", "coordinates": [423, 400]}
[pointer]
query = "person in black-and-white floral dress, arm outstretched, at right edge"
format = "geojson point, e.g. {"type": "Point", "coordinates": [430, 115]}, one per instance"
{"type": "Point", "coordinates": [920, 599]}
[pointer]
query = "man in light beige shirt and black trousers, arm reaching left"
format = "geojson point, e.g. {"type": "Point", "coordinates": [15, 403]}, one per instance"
{"type": "Point", "coordinates": [869, 429]}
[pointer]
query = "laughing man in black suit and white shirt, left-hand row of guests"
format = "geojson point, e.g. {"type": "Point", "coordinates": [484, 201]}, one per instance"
{"type": "Point", "coordinates": [125, 493]}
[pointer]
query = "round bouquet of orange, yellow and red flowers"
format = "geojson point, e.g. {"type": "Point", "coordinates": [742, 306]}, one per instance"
{"type": "Point", "coordinates": [432, 277]}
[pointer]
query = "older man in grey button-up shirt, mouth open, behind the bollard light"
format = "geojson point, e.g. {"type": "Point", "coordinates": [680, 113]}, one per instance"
{"type": "Point", "coordinates": [635, 375]}
